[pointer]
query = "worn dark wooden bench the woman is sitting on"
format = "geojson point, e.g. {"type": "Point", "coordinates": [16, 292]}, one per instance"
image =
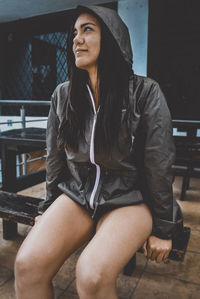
{"type": "Point", "coordinates": [23, 209]}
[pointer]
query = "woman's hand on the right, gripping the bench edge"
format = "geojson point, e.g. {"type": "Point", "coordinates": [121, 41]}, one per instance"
{"type": "Point", "coordinates": [157, 249]}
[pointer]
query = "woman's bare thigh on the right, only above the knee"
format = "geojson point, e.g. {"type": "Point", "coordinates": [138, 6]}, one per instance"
{"type": "Point", "coordinates": [120, 233]}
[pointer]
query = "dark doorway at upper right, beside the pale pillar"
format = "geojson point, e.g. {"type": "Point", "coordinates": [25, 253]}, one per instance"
{"type": "Point", "coordinates": [173, 56]}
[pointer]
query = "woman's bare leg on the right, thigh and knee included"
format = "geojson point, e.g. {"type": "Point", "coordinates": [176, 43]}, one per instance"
{"type": "Point", "coordinates": [120, 233]}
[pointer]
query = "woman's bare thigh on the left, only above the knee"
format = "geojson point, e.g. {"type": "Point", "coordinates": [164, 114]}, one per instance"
{"type": "Point", "coordinates": [63, 228]}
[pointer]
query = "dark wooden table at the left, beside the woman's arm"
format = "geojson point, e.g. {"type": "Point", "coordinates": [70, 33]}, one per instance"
{"type": "Point", "coordinates": [12, 143]}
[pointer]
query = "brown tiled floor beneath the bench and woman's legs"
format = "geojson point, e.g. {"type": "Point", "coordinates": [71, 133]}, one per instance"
{"type": "Point", "coordinates": [174, 280]}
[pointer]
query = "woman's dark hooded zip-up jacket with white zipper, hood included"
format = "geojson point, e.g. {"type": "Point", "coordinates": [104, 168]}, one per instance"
{"type": "Point", "coordinates": [139, 172]}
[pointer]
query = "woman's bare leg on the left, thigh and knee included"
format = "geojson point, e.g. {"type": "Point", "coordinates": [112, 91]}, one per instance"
{"type": "Point", "coordinates": [63, 228]}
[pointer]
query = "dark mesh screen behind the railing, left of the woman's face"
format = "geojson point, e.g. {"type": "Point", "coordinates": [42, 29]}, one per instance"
{"type": "Point", "coordinates": [34, 67]}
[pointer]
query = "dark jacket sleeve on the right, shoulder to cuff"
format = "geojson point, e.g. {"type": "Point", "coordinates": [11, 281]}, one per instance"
{"type": "Point", "coordinates": [159, 155]}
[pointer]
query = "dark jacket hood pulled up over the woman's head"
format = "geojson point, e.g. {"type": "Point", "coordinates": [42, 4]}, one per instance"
{"type": "Point", "coordinates": [115, 26]}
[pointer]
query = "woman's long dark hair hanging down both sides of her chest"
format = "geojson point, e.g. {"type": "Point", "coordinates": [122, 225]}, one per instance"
{"type": "Point", "coordinates": [114, 74]}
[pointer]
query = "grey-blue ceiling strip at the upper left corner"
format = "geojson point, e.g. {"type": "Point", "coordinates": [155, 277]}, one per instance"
{"type": "Point", "coordinates": [14, 10]}
